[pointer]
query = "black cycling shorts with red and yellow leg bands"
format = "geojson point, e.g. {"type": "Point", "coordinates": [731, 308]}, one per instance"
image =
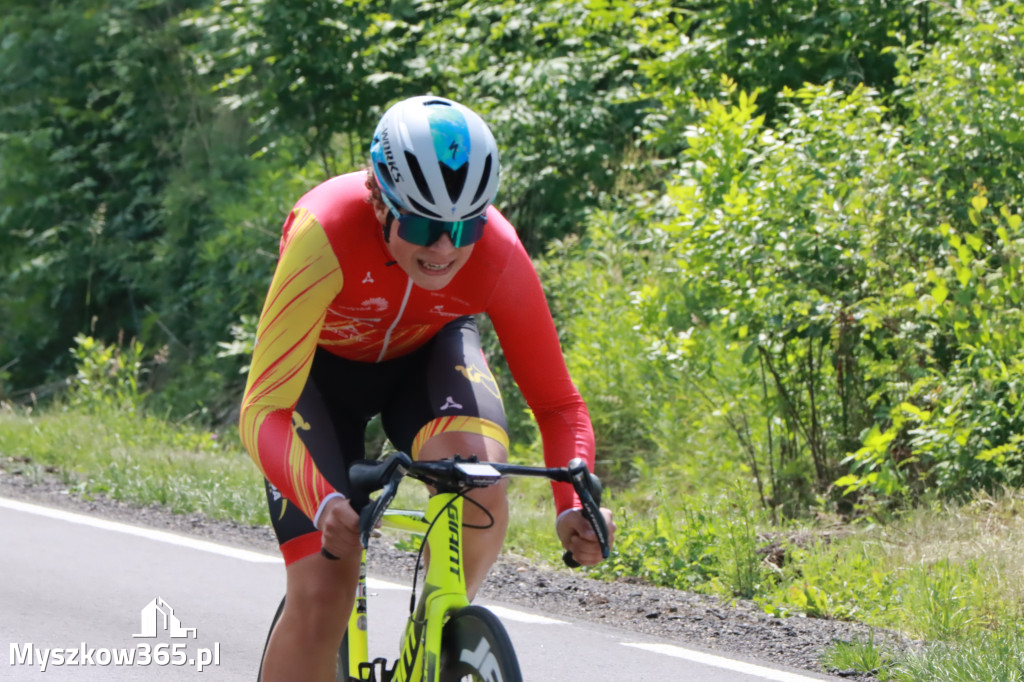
{"type": "Point", "coordinates": [446, 386]}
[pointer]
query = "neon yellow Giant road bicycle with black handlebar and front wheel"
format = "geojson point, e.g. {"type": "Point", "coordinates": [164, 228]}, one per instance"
{"type": "Point", "coordinates": [446, 640]}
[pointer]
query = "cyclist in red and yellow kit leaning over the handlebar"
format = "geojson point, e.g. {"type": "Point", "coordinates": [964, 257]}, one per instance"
{"type": "Point", "coordinates": [371, 313]}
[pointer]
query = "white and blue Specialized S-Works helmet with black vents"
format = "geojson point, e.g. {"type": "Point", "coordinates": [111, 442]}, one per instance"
{"type": "Point", "coordinates": [436, 158]}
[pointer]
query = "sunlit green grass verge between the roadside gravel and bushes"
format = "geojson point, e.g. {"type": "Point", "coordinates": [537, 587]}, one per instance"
{"type": "Point", "coordinates": [950, 576]}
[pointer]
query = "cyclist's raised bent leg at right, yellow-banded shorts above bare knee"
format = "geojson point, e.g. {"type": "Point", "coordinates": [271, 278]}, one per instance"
{"type": "Point", "coordinates": [450, 405]}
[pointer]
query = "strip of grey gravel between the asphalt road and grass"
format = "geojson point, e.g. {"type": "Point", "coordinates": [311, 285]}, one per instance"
{"type": "Point", "coordinates": [686, 619]}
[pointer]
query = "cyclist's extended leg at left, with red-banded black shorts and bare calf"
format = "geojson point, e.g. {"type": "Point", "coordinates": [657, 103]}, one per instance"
{"type": "Point", "coordinates": [320, 593]}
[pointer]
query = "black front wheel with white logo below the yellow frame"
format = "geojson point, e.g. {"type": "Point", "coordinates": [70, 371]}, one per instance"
{"type": "Point", "coordinates": [476, 647]}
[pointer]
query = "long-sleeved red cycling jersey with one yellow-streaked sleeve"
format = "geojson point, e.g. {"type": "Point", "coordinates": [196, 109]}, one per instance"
{"type": "Point", "coordinates": [337, 287]}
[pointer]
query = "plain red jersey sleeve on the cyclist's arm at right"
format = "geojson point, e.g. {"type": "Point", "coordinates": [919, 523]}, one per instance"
{"type": "Point", "coordinates": [530, 342]}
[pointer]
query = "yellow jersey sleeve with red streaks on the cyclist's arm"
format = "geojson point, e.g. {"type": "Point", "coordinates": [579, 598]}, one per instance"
{"type": "Point", "coordinates": [307, 280]}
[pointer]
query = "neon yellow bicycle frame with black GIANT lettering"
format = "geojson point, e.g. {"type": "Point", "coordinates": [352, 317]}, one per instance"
{"type": "Point", "coordinates": [444, 592]}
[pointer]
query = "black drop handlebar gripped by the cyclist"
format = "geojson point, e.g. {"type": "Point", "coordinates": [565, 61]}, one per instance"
{"type": "Point", "coordinates": [458, 475]}
